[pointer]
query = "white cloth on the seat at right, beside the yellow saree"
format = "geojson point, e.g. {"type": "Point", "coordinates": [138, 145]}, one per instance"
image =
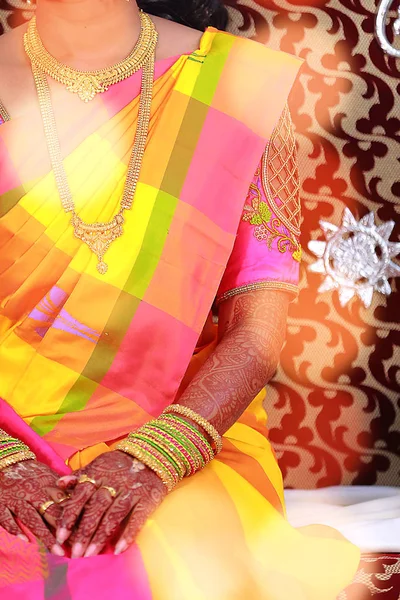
{"type": "Point", "coordinates": [368, 516]}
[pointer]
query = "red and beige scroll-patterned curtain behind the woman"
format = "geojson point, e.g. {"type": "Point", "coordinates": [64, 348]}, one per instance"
{"type": "Point", "coordinates": [334, 408]}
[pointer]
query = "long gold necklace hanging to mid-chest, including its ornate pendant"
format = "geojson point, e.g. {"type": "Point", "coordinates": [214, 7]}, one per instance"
{"type": "Point", "coordinates": [97, 236]}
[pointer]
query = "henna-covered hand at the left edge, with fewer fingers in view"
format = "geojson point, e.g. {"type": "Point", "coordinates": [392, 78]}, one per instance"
{"type": "Point", "coordinates": [24, 488]}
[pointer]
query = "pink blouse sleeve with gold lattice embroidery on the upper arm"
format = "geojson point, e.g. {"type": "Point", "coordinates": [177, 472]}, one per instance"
{"type": "Point", "coordinates": [267, 252]}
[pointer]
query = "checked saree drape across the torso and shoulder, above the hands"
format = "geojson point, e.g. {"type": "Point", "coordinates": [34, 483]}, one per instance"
{"type": "Point", "coordinates": [78, 343]}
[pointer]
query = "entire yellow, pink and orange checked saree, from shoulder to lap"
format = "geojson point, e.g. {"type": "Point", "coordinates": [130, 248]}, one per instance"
{"type": "Point", "coordinates": [85, 358]}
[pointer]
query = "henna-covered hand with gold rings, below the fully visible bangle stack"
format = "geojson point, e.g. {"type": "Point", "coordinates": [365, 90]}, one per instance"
{"type": "Point", "coordinates": [92, 516]}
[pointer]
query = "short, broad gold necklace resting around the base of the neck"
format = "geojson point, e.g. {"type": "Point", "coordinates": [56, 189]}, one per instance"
{"type": "Point", "coordinates": [87, 84]}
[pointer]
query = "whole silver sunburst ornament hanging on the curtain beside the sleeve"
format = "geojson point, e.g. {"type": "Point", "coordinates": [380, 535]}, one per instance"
{"type": "Point", "coordinates": [356, 258]}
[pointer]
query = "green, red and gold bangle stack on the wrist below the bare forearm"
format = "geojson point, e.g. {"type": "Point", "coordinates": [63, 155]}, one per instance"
{"type": "Point", "coordinates": [172, 446]}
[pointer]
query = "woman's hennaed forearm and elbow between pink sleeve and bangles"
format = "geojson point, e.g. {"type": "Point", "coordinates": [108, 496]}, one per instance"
{"type": "Point", "coordinates": [244, 360]}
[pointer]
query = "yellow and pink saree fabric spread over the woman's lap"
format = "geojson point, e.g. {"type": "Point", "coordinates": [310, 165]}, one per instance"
{"type": "Point", "coordinates": [221, 534]}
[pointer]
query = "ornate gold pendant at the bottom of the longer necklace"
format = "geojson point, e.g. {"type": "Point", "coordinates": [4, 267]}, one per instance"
{"type": "Point", "coordinates": [98, 236]}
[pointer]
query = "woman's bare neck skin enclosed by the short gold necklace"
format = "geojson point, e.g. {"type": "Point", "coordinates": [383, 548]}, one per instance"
{"type": "Point", "coordinates": [88, 34]}
